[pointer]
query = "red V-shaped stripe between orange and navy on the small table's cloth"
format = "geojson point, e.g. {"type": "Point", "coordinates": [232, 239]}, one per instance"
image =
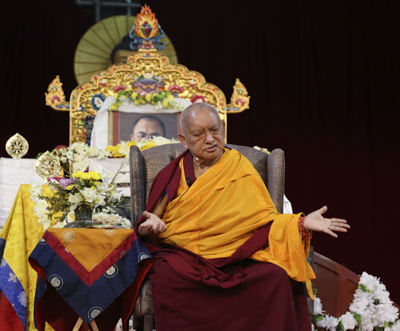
{"type": "Point", "coordinates": [88, 277]}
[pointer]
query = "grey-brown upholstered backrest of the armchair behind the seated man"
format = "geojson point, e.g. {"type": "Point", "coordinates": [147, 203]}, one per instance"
{"type": "Point", "coordinates": [145, 165]}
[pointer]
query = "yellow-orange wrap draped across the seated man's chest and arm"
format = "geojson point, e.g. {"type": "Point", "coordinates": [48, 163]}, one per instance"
{"type": "Point", "coordinates": [224, 208]}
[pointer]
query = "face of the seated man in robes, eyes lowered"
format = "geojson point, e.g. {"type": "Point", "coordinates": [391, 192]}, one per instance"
{"type": "Point", "coordinates": [205, 134]}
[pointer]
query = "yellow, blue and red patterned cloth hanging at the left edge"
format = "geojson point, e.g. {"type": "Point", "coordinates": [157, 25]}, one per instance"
{"type": "Point", "coordinates": [17, 279]}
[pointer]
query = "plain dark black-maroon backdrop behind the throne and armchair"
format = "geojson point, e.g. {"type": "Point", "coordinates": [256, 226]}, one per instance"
{"type": "Point", "coordinates": [324, 83]}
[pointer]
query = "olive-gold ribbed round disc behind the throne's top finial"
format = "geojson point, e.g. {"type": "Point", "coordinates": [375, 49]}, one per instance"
{"type": "Point", "coordinates": [95, 47]}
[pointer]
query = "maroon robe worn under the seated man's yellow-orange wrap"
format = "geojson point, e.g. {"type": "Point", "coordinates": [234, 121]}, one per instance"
{"type": "Point", "coordinates": [235, 293]}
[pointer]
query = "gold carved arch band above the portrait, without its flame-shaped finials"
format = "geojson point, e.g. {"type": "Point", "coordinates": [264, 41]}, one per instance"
{"type": "Point", "coordinates": [138, 64]}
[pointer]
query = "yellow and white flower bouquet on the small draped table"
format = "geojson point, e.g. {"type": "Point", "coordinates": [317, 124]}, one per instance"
{"type": "Point", "coordinates": [82, 194]}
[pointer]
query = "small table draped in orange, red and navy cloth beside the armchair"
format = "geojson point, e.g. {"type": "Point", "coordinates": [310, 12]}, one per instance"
{"type": "Point", "coordinates": [92, 274]}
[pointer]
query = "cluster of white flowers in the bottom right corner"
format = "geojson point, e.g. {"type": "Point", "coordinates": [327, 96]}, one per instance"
{"type": "Point", "coordinates": [370, 310]}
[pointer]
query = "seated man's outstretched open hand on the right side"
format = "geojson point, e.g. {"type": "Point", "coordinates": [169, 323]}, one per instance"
{"type": "Point", "coordinates": [316, 222]}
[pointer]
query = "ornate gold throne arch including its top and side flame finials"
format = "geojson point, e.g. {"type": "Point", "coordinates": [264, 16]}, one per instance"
{"type": "Point", "coordinates": [147, 61]}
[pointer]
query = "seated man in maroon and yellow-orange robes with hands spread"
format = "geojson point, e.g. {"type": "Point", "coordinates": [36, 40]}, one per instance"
{"type": "Point", "coordinates": [224, 258]}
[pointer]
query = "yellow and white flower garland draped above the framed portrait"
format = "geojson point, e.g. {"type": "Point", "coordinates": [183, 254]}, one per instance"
{"type": "Point", "coordinates": [159, 98]}
